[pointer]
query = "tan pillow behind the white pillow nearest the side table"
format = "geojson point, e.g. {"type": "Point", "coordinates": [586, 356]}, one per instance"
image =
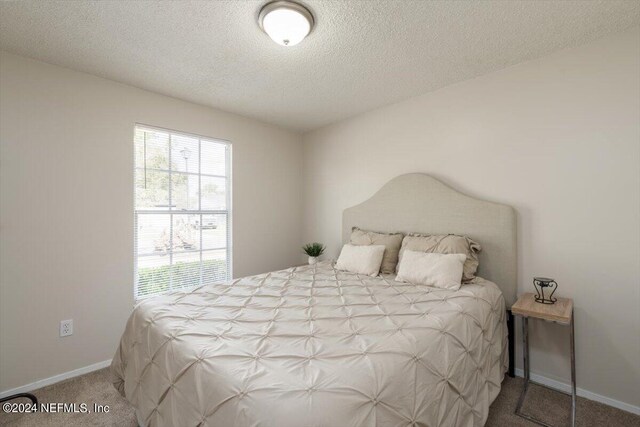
{"type": "Point", "coordinates": [445, 244]}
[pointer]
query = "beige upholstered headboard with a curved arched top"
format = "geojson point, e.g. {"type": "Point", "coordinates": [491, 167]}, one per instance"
{"type": "Point", "coordinates": [419, 203]}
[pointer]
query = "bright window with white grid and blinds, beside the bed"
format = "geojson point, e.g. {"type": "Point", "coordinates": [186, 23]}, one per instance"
{"type": "Point", "coordinates": [182, 211]}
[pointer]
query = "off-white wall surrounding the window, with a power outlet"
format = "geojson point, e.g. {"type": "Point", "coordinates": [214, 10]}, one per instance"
{"type": "Point", "coordinates": [66, 196]}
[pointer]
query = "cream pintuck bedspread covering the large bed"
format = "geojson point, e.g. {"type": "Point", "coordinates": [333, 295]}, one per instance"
{"type": "Point", "coordinates": [312, 346]}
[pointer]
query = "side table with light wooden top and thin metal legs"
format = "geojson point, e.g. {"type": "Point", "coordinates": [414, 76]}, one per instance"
{"type": "Point", "coordinates": [562, 313]}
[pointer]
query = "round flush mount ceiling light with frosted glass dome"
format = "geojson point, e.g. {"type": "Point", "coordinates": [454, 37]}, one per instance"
{"type": "Point", "coordinates": [286, 22]}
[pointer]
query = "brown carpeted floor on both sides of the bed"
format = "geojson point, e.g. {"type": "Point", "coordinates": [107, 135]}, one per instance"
{"type": "Point", "coordinates": [95, 387]}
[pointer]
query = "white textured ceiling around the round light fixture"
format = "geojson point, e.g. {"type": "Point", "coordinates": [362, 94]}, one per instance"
{"type": "Point", "coordinates": [361, 55]}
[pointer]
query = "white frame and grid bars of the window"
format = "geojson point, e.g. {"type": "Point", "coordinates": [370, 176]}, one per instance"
{"type": "Point", "coordinates": [227, 211]}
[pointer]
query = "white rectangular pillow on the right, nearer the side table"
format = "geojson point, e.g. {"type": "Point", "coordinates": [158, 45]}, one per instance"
{"type": "Point", "coordinates": [432, 269]}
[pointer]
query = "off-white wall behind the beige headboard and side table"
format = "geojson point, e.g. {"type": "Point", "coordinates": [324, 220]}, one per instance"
{"type": "Point", "coordinates": [557, 138]}
